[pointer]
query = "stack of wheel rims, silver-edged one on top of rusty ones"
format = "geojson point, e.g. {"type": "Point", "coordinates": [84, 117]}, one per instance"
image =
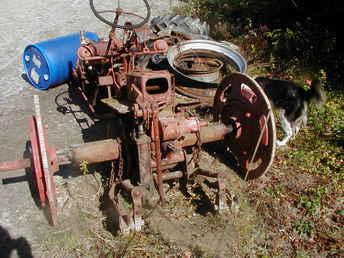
{"type": "Point", "coordinates": [201, 65]}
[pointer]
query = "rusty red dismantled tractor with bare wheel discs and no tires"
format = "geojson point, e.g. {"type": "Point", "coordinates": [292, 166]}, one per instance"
{"type": "Point", "coordinates": [134, 81]}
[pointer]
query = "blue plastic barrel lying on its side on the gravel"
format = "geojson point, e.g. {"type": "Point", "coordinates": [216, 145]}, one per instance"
{"type": "Point", "coordinates": [50, 62]}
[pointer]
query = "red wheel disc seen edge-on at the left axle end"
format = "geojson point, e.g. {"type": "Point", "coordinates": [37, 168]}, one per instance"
{"type": "Point", "coordinates": [43, 164]}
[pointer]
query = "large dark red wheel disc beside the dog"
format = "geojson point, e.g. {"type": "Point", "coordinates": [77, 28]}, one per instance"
{"type": "Point", "coordinates": [240, 101]}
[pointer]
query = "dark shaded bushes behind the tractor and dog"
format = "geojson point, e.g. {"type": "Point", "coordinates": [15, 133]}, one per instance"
{"type": "Point", "coordinates": [290, 36]}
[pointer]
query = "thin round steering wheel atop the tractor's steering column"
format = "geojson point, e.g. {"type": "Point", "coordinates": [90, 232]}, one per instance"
{"type": "Point", "coordinates": [112, 24]}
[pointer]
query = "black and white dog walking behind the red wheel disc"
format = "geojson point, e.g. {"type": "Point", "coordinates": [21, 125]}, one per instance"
{"type": "Point", "coordinates": [292, 101]}
